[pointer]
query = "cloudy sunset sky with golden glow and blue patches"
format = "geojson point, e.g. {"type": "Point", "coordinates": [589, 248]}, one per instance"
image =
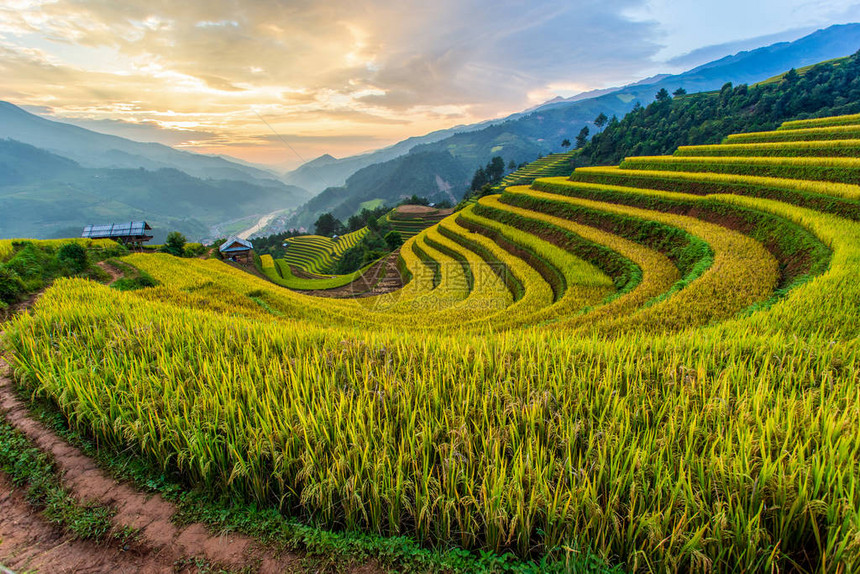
{"type": "Point", "coordinates": [281, 82]}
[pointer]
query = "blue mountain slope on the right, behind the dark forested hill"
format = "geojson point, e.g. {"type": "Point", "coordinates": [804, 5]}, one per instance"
{"type": "Point", "coordinates": [525, 136]}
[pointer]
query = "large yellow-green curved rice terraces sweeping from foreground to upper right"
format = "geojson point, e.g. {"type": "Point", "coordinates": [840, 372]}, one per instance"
{"type": "Point", "coordinates": [656, 364]}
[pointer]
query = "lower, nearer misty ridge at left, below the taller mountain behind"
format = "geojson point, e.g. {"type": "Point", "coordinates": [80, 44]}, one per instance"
{"type": "Point", "coordinates": [44, 195]}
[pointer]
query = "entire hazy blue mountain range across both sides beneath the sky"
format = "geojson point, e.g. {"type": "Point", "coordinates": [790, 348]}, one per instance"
{"type": "Point", "coordinates": [55, 177]}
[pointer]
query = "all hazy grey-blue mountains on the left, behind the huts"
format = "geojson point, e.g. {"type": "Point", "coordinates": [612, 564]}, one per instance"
{"type": "Point", "coordinates": [55, 178]}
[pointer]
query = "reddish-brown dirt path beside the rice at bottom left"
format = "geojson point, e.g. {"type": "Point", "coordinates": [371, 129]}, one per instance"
{"type": "Point", "coordinates": [28, 543]}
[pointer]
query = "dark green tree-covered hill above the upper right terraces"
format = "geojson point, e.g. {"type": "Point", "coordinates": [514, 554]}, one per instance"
{"type": "Point", "coordinates": [827, 89]}
